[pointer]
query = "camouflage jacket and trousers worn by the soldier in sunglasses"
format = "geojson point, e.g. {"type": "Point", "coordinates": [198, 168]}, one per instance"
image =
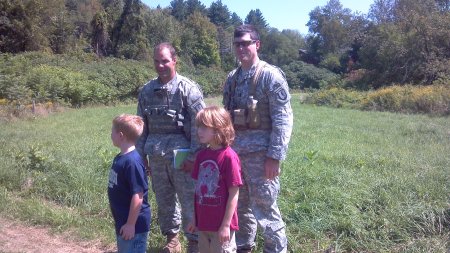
{"type": "Point", "coordinates": [258, 197]}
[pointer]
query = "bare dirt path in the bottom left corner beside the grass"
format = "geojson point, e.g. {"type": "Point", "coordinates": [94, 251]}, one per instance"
{"type": "Point", "coordinates": [18, 237]}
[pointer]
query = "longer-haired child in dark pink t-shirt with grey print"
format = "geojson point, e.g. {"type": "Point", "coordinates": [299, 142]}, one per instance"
{"type": "Point", "coordinates": [217, 170]}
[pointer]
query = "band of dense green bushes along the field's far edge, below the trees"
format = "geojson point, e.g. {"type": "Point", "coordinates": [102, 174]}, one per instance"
{"type": "Point", "coordinates": [81, 79]}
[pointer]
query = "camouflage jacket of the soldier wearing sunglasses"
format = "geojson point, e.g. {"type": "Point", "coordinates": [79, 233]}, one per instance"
{"type": "Point", "coordinates": [272, 92]}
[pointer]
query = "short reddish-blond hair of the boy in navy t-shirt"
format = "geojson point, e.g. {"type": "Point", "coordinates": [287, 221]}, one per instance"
{"type": "Point", "coordinates": [131, 126]}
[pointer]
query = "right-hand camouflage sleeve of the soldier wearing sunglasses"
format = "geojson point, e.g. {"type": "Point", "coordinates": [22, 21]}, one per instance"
{"type": "Point", "coordinates": [280, 113]}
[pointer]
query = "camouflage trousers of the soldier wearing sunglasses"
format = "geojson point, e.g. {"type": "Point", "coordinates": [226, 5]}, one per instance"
{"type": "Point", "coordinates": [257, 206]}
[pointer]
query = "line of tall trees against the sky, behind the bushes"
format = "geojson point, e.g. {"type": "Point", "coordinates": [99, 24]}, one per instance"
{"type": "Point", "coordinates": [396, 42]}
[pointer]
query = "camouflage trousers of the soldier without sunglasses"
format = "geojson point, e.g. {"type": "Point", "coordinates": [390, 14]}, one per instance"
{"type": "Point", "coordinates": [174, 193]}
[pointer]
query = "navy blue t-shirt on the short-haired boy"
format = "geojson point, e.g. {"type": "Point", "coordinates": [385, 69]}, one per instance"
{"type": "Point", "coordinates": [126, 178]}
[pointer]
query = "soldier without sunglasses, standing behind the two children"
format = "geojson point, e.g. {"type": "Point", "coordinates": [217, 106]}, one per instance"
{"type": "Point", "coordinates": [168, 104]}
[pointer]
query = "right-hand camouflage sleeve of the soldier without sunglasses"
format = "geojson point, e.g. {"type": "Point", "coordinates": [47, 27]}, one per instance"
{"type": "Point", "coordinates": [195, 103]}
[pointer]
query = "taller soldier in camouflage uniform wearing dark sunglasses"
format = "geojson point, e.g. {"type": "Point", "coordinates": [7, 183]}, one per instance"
{"type": "Point", "coordinates": [257, 96]}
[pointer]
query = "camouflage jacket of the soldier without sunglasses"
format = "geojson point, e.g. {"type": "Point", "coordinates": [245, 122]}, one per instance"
{"type": "Point", "coordinates": [181, 96]}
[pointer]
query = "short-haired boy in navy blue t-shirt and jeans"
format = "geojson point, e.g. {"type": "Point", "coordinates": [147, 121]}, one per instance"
{"type": "Point", "coordinates": [128, 187]}
